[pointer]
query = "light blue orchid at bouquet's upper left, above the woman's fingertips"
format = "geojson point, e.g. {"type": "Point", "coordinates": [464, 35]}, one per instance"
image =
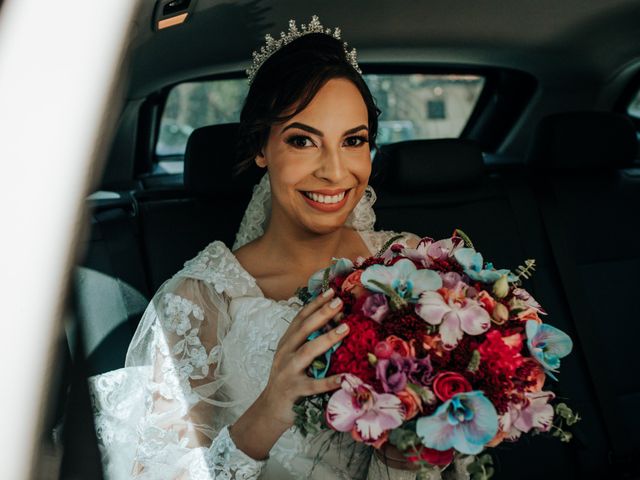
{"type": "Point", "coordinates": [402, 277]}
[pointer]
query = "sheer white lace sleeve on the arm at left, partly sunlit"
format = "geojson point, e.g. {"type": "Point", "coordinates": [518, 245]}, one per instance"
{"type": "Point", "coordinates": [164, 415]}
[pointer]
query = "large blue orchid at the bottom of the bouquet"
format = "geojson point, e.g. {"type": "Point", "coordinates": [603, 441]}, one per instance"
{"type": "Point", "coordinates": [466, 422]}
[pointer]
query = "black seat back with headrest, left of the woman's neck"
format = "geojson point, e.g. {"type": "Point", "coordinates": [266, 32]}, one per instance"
{"type": "Point", "coordinates": [177, 225]}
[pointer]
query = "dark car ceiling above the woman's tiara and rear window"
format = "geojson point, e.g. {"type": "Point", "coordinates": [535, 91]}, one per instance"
{"type": "Point", "coordinates": [557, 41]}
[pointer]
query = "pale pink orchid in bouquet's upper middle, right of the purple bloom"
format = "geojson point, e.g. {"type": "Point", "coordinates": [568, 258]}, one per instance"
{"type": "Point", "coordinates": [456, 315]}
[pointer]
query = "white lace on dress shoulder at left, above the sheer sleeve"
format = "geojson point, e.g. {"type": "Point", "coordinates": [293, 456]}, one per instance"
{"type": "Point", "coordinates": [212, 265]}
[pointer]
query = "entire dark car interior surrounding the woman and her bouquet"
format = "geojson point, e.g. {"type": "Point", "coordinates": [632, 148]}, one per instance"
{"type": "Point", "coordinates": [516, 122]}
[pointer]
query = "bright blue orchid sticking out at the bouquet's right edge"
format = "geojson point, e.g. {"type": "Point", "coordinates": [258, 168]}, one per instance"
{"type": "Point", "coordinates": [547, 345]}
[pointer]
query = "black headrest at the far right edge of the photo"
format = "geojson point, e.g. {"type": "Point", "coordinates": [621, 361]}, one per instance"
{"type": "Point", "coordinates": [583, 140]}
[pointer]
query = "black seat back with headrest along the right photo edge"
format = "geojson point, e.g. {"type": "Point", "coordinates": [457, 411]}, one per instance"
{"type": "Point", "coordinates": [597, 205]}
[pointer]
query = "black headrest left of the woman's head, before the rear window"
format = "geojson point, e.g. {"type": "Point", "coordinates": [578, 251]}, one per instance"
{"type": "Point", "coordinates": [209, 162]}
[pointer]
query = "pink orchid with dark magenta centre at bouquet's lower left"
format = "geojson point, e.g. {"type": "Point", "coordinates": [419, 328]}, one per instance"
{"type": "Point", "coordinates": [357, 406]}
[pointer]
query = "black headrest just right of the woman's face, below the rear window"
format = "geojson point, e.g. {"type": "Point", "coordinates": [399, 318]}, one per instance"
{"type": "Point", "coordinates": [430, 164]}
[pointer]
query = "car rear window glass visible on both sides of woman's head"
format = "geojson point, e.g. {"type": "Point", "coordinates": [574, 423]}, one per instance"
{"type": "Point", "coordinates": [414, 106]}
